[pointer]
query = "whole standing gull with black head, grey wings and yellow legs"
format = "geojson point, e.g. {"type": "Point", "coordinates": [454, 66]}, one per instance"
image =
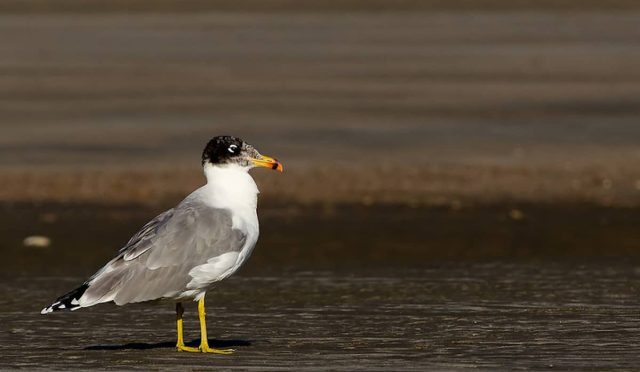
{"type": "Point", "coordinates": [184, 251]}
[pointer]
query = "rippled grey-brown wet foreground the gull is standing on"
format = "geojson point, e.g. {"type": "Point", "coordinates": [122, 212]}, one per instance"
{"type": "Point", "coordinates": [484, 316]}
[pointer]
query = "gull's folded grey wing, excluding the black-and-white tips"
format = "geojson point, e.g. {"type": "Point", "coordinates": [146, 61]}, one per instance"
{"type": "Point", "coordinates": [157, 261]}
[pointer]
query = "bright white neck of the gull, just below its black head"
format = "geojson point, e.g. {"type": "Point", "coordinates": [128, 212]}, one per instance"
{"type": "Point", "coordinates": [230, 186]}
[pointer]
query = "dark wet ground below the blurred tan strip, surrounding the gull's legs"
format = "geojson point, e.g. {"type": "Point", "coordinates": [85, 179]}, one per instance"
{"type": "Point", "coordinates": [346, 288]}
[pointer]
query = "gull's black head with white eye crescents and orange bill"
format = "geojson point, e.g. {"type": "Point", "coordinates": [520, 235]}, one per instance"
{"type": "Point", "coordinates": [229, 150]}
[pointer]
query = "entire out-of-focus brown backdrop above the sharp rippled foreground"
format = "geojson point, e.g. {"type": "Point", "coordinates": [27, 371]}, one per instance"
{"type": "Point", "coordinates": [411, 131]}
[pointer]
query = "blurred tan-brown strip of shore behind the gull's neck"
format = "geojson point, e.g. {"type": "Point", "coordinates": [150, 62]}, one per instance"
{"type": "Point", "coordinates": [426, 186]}
